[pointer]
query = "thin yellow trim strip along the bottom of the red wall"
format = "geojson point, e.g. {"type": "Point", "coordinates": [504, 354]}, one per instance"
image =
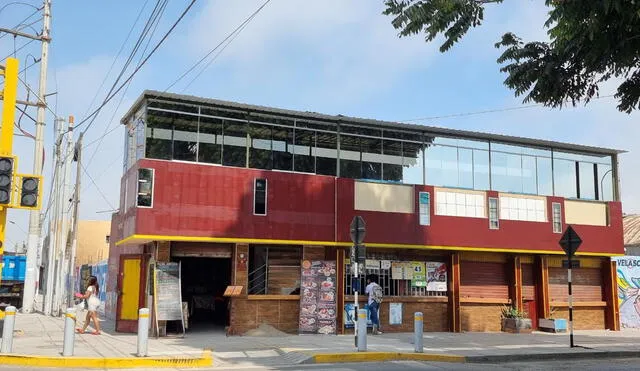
{"type": "Point", "coordinates": [146, 237]}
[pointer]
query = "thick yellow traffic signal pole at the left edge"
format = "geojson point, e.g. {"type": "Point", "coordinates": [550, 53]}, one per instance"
{"type": "Point", "coordinates": [9, 97]}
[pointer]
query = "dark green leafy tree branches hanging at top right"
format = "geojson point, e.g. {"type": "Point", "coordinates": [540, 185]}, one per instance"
{"type": "Point", "coordinates": [591, 41]}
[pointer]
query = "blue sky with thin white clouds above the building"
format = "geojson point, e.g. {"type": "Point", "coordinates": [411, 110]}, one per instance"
{"type": "Point", "coordinates": [330, 56]}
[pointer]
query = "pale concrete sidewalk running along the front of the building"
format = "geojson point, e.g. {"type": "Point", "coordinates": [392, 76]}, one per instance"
{"type": "Point", "coordinates": [38, 335]}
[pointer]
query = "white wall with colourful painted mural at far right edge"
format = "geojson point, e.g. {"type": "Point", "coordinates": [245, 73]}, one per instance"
{"type": "Point", "coordinates": [628, 290]}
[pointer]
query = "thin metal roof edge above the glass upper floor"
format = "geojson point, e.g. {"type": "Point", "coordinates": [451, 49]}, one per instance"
{"type": "Point", "coordinates": [432, 130]}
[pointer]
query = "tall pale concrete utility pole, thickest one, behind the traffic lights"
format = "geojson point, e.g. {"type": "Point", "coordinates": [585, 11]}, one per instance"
{"type": "Point", "coordinates": [34, 215]}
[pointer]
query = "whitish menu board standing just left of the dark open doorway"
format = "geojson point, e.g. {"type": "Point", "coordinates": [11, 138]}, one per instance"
{"type": "Point", "coordinates": [167, 292]}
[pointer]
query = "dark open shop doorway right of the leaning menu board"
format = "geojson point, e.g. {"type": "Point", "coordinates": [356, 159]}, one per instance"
{"type": "Point", "coordinates": [204, 280]}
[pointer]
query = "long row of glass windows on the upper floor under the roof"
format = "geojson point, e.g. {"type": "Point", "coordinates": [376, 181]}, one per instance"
{"type": "Point", "coordinates": [163, 129]}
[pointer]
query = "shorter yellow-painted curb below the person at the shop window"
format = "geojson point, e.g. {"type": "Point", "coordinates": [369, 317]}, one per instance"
{"type": "Point", "coordinates": [383, 357]}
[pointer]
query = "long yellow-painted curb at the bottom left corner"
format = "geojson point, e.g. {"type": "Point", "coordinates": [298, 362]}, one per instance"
{"type": "Point", "coordinates": [206, 360]}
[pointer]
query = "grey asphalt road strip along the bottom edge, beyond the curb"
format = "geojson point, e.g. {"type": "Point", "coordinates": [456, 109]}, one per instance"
{"type": "Point", "coordinates": [582, 365]}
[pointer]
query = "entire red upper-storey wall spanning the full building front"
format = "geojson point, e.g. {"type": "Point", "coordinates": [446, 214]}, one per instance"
{"type": "Point", "coordinates": [216, 201]}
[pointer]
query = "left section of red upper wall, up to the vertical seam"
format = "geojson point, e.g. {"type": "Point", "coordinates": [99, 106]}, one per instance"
{"type": "Point", "coordinates": [216, 201]}
